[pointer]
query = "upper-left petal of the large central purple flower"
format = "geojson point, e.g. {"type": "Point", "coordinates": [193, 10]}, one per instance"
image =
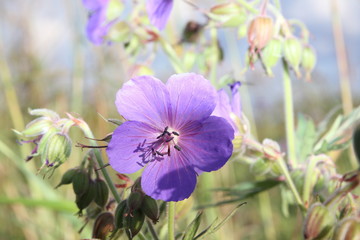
{"type": "Point", "coordinates": [145, 99]}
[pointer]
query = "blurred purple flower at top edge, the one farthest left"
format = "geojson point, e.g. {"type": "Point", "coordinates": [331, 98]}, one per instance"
{"type": "Point", "coordinates": [98, 25]}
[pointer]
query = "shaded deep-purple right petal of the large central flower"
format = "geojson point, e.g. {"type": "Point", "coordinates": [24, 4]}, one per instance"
{"type": "Point", "coordinates": [210, 146]}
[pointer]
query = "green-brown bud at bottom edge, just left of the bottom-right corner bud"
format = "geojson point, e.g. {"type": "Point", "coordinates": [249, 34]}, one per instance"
{"type": "Point", "coordinates": [319, 222]}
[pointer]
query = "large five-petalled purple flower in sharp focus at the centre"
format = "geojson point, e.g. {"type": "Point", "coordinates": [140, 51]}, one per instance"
{"type": "Point", "coordinates": [170, 133]}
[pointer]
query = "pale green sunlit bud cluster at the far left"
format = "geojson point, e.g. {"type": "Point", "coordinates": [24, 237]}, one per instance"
{"type": "Point", "coordinates": [49, 133]}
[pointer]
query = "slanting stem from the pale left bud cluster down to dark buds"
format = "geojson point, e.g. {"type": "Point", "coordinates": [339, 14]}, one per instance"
{"type": "Point", "coordinates": [88, 133]}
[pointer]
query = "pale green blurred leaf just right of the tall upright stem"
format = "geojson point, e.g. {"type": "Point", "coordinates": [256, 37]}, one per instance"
{"type": "Point", "coordinates": [305, 137]}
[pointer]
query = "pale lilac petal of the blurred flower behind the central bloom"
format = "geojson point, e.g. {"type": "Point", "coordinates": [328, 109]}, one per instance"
{"type": "Point", "coordinates": [223, 108]}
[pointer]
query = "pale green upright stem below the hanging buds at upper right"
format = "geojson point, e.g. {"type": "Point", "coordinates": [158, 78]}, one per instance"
{"type": "Point", "coordinates": [289, 115]}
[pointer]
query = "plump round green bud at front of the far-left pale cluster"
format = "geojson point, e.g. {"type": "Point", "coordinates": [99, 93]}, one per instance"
{"type": "Point", "coordinates": [58, 148]}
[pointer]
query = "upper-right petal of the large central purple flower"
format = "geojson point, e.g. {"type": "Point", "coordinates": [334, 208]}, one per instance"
{"type": "Point", "coordinates": [192, 98]}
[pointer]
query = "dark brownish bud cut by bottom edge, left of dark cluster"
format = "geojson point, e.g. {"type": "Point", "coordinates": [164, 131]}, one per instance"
{"type": "Point", "coordinates": [103, 225]}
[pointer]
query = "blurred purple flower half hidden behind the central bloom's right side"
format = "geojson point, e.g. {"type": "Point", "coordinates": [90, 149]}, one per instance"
{"type": "Point", "coordinates": [230, 109]}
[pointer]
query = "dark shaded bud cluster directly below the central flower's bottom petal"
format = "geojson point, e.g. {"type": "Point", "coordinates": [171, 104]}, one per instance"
{"type": "Point", "coordinates": [130, 213]}
